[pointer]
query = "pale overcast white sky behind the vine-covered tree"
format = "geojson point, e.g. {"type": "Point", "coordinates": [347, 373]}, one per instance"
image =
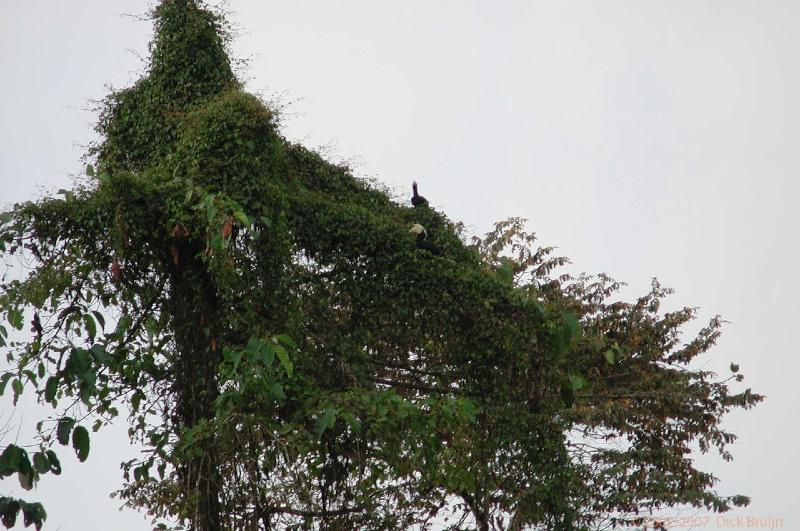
{"type": "Point", "coordinates": [643, 138]}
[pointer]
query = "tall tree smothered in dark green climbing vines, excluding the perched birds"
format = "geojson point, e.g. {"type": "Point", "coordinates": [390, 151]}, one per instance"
{"type": "Point", "coordinates": [291, 359]}
